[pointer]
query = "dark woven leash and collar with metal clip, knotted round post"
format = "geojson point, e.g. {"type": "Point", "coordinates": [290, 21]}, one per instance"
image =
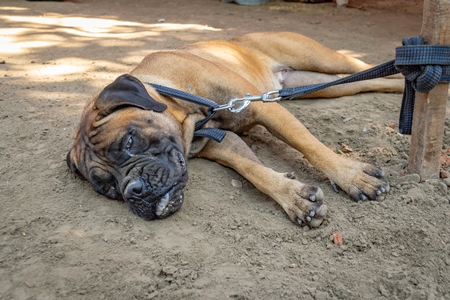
{"type": "Point", "coordinates": [424, 66]}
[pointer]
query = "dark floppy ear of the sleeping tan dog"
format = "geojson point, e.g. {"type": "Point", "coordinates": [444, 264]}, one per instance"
{"type": "Point", "coordinates": [126, 90]}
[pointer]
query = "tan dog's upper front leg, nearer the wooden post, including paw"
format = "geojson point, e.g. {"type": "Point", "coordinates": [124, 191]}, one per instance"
{"type": "Point", "coordinates": [361, 181]}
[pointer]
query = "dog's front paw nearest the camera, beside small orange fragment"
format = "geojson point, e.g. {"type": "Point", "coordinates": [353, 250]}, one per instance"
{"type": "Point", "coordinates": [302, 203]}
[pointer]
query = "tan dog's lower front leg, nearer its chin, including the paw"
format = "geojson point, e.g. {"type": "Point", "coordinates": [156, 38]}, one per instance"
{"type": "Point", "coordinates": [302, 203]}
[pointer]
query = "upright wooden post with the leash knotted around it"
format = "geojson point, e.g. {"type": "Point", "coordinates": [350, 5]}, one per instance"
{"type": "Point", "coordinates": [429, 109]}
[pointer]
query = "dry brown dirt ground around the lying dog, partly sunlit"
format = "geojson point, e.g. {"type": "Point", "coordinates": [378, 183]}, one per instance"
{"type": "Point", "coordinates": [60, 240]}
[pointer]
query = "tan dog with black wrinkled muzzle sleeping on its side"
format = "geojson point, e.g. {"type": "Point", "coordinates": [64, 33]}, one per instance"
{"type": "Point", "coordinates": [133, 142]}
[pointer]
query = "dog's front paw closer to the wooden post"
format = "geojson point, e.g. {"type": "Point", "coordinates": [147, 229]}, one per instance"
{"type": "Point", "coordinates": [361, 181]}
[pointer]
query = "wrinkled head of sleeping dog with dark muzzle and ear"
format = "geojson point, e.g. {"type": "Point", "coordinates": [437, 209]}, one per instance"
{"type": "Point", "coordinates": [128, 148]}
